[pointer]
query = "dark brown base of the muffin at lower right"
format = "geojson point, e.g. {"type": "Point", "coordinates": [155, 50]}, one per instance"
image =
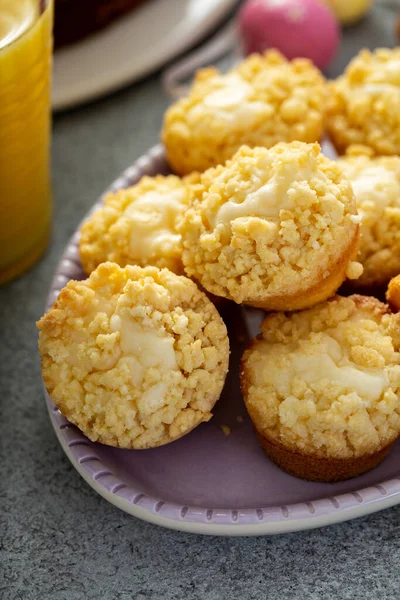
{"type": "Point", "coordinates": [313, 468]}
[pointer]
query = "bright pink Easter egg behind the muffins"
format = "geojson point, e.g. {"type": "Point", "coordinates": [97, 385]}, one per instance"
{"type": "Point", "coordinates": [297, 28]}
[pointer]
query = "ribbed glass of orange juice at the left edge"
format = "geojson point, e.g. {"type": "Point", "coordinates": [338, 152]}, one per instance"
{"type": "Point", "coordinates": [25, 192]}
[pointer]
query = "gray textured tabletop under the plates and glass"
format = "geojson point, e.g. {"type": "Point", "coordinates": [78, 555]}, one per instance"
{"type": "Point", "coordinates": [59, 540]}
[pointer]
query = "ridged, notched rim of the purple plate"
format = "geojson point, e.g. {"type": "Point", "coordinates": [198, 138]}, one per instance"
{"type": "Point", "coordinates": [227, 522]}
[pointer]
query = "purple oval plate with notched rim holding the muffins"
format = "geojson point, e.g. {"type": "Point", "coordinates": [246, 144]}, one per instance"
{"type": "Point", "coordinates": [209, 482]}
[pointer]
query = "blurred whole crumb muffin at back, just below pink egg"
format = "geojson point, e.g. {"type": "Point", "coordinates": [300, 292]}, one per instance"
{"type": "Point", "coordinates": [264, 100]}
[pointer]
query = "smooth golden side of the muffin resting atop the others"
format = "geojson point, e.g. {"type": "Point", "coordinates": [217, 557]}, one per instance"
{"type": "Point", "coordinates": [317, 293]}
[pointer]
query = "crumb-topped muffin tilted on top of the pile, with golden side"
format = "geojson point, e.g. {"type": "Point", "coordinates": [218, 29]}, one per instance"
{"type": "Point", "coordinates": [273, 228]}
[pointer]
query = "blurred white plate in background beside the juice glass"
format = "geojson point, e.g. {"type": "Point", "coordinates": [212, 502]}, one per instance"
{"type": "Point", "coordinates": [132, 47]}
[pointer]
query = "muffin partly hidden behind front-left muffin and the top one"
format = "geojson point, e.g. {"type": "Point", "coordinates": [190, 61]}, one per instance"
{"type": "Point", "coordinates": [137, 225]}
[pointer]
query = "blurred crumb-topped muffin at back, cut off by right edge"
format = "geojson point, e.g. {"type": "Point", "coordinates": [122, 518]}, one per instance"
{"type": "Point", "coordinates": [363, 104]}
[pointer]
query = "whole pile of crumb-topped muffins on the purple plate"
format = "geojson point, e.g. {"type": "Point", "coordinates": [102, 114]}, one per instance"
{"type": "Point", "coordinates": [137, 354]}
